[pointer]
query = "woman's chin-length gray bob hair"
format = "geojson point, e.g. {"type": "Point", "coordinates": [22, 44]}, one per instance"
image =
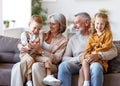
{"type": "Point", "coordinates": [60, 18]}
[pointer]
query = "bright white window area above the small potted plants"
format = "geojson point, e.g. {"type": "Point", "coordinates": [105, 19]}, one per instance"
{"type": "Point", "coordinates": [19, 10]}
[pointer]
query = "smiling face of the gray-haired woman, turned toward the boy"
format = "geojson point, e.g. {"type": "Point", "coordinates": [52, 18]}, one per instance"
{"type": "Point", "coordinates": [54, 26]}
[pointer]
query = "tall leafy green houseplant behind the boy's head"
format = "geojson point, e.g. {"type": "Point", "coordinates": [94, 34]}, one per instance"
{"type": "Point", "coordinates": [39, 10]}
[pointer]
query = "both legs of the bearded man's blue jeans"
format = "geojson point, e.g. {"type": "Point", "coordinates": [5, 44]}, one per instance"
{"type": "Point", "coordinates": [67, 69]}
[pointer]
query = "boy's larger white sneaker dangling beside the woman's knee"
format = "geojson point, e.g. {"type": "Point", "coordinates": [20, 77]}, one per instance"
{"type": "Point", "coordinates": [50, 80]}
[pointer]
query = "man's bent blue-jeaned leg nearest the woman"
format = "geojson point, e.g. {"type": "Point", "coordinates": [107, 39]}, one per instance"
{"type": "Point", "coordinates": [65, 72]}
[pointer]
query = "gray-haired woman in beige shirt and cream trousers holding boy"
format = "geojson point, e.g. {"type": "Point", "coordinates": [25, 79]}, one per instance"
{"type": "Point", "coordinates": [53, 46]}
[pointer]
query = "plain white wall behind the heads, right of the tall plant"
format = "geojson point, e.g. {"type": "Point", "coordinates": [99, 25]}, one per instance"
{"type": "Point", "coordinates": [71, 7]}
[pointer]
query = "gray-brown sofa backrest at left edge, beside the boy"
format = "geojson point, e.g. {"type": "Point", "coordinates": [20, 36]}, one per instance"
{"type": "Point", "coordinates": [8, 49]}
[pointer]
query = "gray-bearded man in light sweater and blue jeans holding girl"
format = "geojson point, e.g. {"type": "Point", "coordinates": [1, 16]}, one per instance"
{"type": "Point", "coordinates": [74, 52]}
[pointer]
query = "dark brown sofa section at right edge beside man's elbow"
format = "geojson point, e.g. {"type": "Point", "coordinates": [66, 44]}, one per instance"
{"type": "Point", "coordinates": [114, 64]}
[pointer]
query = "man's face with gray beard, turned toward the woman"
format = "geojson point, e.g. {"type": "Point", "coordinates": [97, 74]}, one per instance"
{"type": "Point", "coordinates": [78, 24]}
